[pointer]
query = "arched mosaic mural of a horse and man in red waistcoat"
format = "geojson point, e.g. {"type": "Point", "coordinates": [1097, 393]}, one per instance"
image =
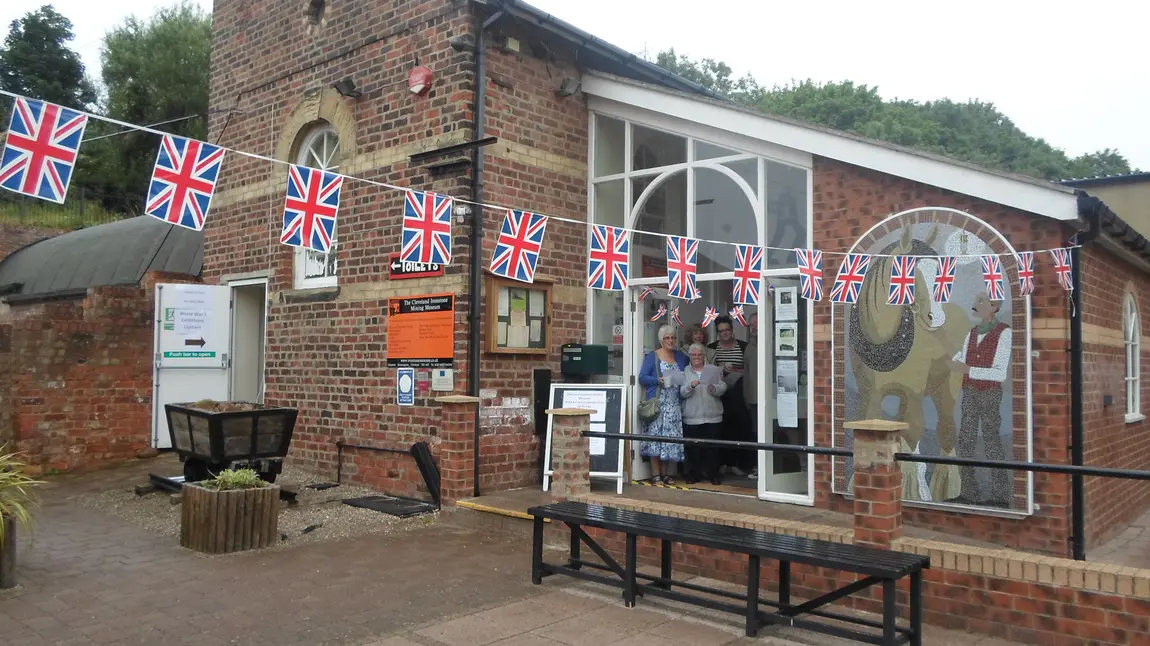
{"type": "Point", "coordinates": [950, 371]}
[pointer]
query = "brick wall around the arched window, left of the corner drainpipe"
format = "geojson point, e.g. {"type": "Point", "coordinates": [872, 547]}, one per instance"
{"type": "Point", "coordinates": [327, 350]}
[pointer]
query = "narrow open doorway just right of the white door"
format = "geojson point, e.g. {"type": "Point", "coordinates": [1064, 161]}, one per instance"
{"type": "Point", "coordinates": [249, 340]}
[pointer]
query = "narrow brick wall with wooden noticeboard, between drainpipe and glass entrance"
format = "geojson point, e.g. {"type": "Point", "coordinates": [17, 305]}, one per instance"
{"type": "Point", "coordinates": [523, 111]}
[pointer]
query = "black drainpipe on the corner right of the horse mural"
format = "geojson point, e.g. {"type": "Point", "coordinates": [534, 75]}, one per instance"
{"type": "Point", "coordinates": [1091, 209]}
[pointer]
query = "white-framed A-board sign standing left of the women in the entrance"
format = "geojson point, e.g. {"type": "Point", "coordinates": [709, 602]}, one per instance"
{"type": "Point", "coordinates": [610, 405]}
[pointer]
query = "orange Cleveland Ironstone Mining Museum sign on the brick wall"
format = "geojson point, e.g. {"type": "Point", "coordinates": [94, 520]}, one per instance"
{"type": "Point", "coordinates": [421, 332]}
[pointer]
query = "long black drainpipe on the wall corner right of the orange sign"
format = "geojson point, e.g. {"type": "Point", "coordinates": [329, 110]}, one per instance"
{"type": "Point", "coordinates": [476, 301]}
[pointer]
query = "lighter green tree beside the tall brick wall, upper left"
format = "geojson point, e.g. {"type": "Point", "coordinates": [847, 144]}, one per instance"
{"type": "Point", "coordinates": [154, 72]}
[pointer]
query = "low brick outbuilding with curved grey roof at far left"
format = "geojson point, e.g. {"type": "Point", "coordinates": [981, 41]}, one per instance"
{"type": "Point", "coordinates": [76, 340]}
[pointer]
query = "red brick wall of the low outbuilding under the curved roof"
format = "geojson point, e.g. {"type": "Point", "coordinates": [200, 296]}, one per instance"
{"type": "Point", "coordinates": [82, 389]}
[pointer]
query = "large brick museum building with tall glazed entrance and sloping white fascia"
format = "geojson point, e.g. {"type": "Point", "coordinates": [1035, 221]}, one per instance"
{"type": "Point", "coordinates": [585, 132]}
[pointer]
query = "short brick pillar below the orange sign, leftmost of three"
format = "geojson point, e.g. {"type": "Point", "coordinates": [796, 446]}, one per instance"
{"type": "Point", "coordinates": [457, 449]}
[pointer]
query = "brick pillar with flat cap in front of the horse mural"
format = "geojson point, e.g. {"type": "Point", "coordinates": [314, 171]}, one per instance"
{"type": "Point", "coordinates": [878, 482]}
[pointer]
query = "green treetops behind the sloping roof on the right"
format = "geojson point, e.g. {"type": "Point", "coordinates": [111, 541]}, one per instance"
{"type": "Point", "coordinates": [972, 132]}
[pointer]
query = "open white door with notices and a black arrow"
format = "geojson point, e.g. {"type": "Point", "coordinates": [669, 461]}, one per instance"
{"type": "Point", "coordinates": [193, 341]}
